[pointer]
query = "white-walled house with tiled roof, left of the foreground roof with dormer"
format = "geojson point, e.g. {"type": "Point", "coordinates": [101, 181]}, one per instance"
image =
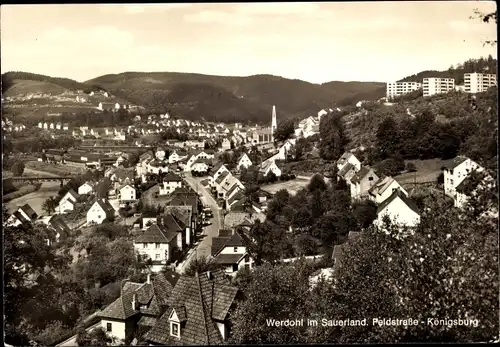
{"type": "Point", "coordinates": [139, 305]}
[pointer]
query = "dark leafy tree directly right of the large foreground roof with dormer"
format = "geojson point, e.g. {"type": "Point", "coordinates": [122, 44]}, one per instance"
{"type": "Point", "coordinates": [274, 293]}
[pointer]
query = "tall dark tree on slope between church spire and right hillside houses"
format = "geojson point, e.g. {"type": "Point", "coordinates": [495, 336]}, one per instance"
{"type": "Point", "coordinates": [333, 137]}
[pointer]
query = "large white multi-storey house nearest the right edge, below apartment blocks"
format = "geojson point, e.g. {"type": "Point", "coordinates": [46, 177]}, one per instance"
{"type": "Point", "coordinates": [455, 171]}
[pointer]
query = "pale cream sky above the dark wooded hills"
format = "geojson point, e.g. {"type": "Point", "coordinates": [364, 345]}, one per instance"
{"type": "Point", "coordinates": [314, 42]}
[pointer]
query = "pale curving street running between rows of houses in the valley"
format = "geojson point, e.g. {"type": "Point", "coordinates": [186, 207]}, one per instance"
{"type": "Point", "coordinates": [204, 246]}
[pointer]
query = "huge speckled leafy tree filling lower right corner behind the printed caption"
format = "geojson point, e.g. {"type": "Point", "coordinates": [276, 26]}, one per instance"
{"type": "Point", "coordinates": [447, 268]}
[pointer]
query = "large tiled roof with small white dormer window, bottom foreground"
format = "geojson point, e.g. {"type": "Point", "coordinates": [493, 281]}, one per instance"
{"type": "Point", "coordinates": [199, 312]}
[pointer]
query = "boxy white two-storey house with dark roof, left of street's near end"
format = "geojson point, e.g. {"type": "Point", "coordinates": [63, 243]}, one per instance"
{"type": "Point", "coordinates": [157, 243]}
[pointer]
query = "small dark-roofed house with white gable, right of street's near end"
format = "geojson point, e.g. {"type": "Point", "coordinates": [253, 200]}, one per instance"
{"type": "Point", "coordinates": [228, 249]}
